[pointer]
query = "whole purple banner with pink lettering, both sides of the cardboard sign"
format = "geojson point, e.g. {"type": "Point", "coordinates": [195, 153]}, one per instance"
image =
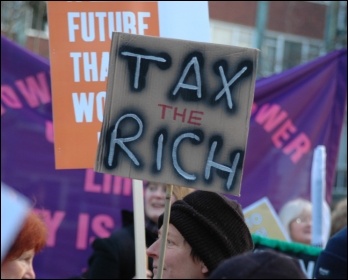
{"type": "Point", "coordinates": [293, 113]}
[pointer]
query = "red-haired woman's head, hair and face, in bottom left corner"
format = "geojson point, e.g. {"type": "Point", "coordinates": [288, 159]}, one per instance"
{"type": "Point", "coordinates": [31, 239]}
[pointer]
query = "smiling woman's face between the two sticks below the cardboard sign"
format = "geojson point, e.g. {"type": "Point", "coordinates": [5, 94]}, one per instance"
{"type": "Point", "coordinates": [155, 195]}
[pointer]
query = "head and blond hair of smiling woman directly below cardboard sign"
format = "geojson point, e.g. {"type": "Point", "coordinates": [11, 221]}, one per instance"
{"type": "Point", "coordinates": [155, 195]}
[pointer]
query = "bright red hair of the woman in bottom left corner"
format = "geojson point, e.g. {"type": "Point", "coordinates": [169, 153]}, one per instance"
{"type": "Point", "coordinates": [33, 235]}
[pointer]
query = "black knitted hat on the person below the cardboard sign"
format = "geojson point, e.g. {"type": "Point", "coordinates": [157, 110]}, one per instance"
{"type": "Point", "coordinates": [212, 224]}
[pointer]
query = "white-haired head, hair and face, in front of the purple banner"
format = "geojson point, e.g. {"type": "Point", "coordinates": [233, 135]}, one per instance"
{"type": "Point", "coordinates": [296, 216]}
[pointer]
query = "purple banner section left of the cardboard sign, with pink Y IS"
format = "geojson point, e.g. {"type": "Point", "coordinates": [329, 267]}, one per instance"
{"type": "Point", "coordinates": [78, 204]}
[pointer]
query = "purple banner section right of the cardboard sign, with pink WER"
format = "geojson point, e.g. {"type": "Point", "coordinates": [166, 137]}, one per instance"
{"type": "Point", "coordinates": [293, 113]}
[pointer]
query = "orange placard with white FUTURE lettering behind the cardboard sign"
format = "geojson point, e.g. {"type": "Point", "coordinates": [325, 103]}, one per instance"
{"type": "Point", "coordinates": [80, 40]}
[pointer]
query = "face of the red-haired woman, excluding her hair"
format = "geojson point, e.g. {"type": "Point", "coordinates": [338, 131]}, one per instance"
{"type": "Point", "coordinates": [20, 268]}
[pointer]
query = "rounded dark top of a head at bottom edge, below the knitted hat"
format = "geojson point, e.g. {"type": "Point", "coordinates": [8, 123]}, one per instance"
{"type": "Point", "coordinates": [266, 264]}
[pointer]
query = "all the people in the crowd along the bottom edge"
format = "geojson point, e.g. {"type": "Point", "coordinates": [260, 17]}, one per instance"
{"type": "Point", "coordinates": [206, 238]}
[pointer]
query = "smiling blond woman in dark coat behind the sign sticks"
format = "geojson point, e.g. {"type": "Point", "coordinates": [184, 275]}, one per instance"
{"type": "Point", "coordinates": [114, 257]}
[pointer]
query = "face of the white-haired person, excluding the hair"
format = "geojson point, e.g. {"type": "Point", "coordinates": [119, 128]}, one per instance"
{"type": "Point", "coordinates": [301, 228]}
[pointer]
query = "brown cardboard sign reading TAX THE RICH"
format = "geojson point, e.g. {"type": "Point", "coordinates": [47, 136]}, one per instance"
{"type": "Point", "coordinates": [177, 112]}
